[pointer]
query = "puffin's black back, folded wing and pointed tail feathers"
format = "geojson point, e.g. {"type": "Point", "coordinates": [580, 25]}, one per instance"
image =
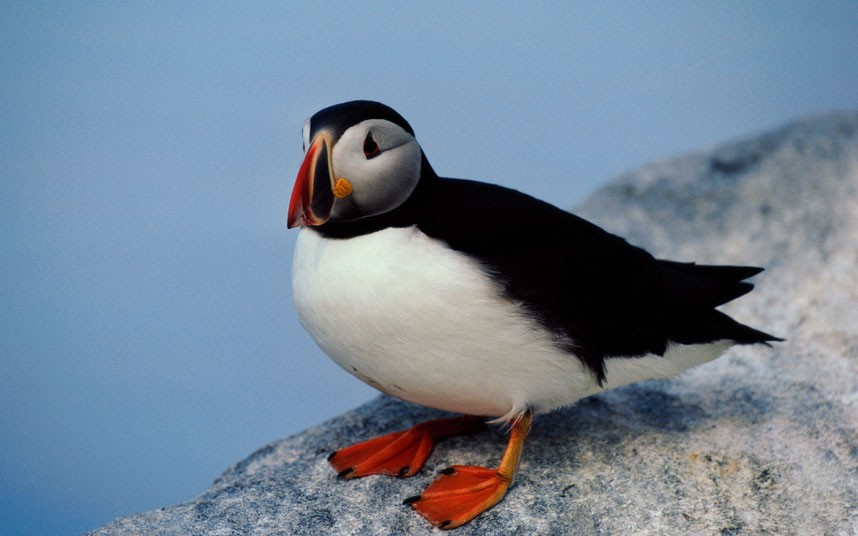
{"type": "Point", "coordinates": [602, 296]}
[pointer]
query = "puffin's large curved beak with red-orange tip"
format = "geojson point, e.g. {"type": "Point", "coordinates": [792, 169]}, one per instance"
{"type": "Point", "coordinates": [312, 195]}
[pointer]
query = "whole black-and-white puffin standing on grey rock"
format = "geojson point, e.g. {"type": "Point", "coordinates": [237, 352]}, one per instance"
{"type": "Point", "coordinates": [478, 300]}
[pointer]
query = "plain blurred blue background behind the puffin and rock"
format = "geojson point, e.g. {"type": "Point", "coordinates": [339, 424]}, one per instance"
{"type": "Point", "coordinates": [147, 335]}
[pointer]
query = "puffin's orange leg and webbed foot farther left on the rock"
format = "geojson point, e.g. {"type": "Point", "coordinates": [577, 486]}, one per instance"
{"type": "Point", "coordinates": [400, 453]}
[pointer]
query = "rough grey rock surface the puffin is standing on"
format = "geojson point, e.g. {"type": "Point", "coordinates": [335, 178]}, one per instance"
{"type": "Point", "coordinates": [761, 441]}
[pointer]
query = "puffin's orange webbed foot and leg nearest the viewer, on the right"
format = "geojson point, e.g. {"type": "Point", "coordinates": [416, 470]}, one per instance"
{"type": "Point", "coordinates": [462, 492]}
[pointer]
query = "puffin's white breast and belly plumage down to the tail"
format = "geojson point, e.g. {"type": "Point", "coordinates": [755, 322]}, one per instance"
{"type": "Point", "coordinates": [424, 323]}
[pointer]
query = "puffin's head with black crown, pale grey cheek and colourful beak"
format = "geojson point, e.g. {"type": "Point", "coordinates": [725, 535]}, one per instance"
{"type": "Point", "coordinates": [361, 160]}
